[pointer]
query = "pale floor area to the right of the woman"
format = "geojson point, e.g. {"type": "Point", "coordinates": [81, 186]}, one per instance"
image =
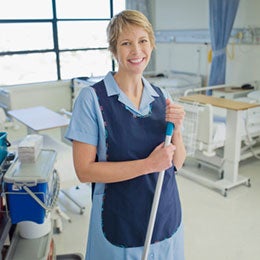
{"type": "Point", "coordinates": [218, 227]}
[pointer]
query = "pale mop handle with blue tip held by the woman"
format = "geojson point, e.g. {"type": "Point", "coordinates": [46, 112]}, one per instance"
{"type": "Point", "coordinates": [156, 198]}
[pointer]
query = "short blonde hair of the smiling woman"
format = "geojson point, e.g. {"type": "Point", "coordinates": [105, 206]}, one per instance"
{"type": "Point", "coordinates": [123, 19]}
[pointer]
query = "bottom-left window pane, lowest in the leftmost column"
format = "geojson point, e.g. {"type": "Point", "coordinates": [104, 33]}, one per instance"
{"type": "Point", "coordinates": [17, 69]}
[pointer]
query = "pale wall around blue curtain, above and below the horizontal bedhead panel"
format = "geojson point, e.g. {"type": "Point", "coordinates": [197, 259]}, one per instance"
{"type": "Point", "coordinates": [188, 14]}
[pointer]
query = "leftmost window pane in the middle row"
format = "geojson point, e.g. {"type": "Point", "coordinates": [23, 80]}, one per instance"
{"type": "Point", "coordinates": [18, 37]}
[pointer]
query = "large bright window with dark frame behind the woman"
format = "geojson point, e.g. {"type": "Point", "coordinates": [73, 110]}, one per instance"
{"type": "Point", "coordinates": [54, 39]}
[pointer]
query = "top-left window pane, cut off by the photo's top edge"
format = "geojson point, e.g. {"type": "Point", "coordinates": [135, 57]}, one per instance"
{"type": "Point", "coordinates": [26, 9]}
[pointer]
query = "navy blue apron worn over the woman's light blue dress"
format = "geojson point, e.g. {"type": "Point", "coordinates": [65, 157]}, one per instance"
{"type": "Point", "coordinates": [127, 204]}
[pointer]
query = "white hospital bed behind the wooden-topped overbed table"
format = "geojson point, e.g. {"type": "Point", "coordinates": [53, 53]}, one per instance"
{"type": "Point", "coordinates": [212, 137]}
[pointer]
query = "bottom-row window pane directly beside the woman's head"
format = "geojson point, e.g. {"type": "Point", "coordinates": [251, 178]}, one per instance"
{"type": "Point", "coordinates": [85, 63]}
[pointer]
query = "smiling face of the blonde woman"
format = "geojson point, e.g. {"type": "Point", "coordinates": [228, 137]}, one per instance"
{"type": "Point", "coordinates": [133, 50]}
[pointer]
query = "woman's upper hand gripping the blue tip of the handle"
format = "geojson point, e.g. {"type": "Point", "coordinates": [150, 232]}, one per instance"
{"type": "Point", "coordinates": [174, 113]}
